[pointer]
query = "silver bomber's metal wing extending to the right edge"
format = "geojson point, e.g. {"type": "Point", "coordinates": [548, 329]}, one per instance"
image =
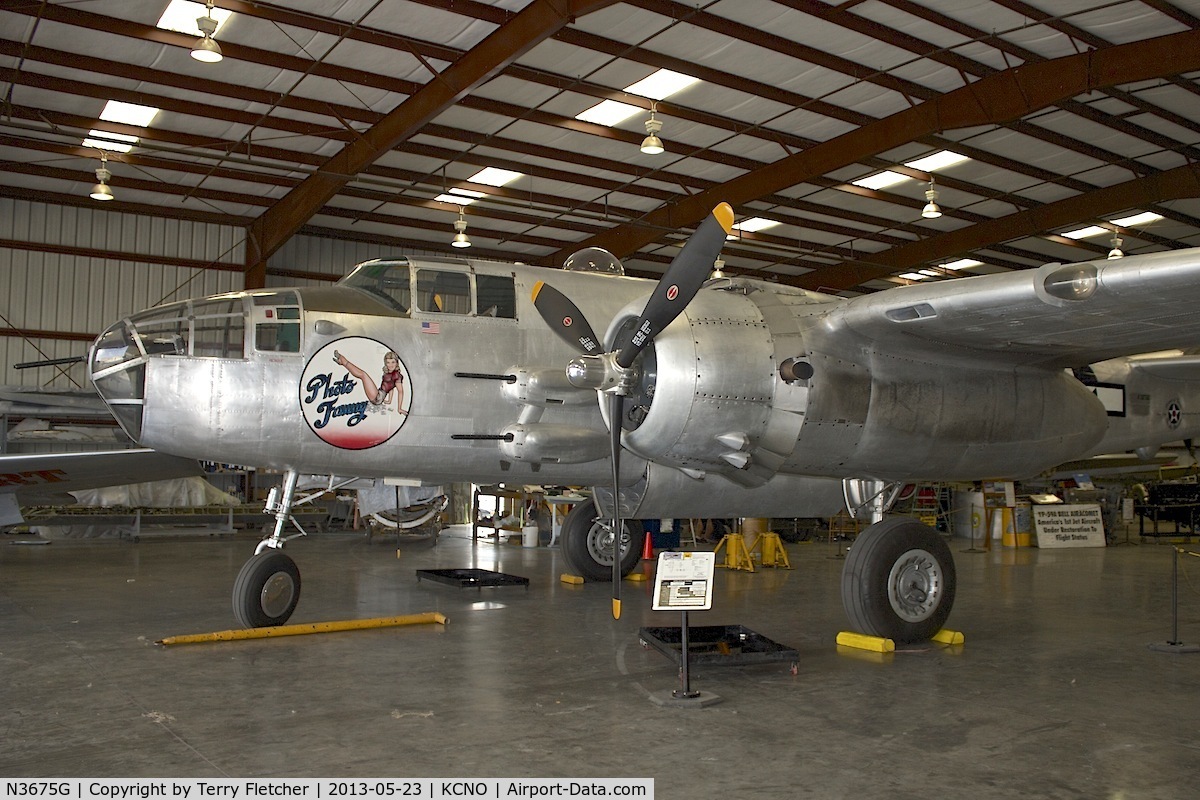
{"type": "Point", "coordinates": [1057, 316]}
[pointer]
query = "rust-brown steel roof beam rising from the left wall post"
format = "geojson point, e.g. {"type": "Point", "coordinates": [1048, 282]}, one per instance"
{"type": "Point", "coordinates": [536, 23]}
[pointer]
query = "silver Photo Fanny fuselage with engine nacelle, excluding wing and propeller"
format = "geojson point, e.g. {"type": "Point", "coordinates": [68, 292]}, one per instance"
{"type": "Point", "coordinates": [751, 404]}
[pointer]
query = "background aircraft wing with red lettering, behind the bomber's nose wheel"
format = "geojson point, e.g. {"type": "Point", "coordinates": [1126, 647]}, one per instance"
{"type": "Point", "coordinates": [47, 478]}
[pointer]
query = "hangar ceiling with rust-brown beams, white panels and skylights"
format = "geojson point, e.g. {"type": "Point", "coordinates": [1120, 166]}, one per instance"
{"type": "Point", "coordinates": [1069, 123]}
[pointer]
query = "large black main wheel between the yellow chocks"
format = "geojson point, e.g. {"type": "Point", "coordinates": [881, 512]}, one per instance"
{"type": "Point", "coordinates": [899, 581]}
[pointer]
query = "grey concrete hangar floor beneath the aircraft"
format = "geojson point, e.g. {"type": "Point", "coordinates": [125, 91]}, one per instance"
{"type": "Point", "coordinates": [1054, 695]}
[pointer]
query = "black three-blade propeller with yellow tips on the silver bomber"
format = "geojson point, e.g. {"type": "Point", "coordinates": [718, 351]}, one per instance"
{"type": "Point", "coordinates": [675, 291]}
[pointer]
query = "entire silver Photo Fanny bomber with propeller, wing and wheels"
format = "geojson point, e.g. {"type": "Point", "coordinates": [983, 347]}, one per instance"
{"type": "Point", "coordinates": [727, 398]}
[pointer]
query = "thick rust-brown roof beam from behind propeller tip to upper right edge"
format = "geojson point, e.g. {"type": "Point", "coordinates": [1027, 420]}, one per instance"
{"type": "Point", "coordinates": [995, 100]}
